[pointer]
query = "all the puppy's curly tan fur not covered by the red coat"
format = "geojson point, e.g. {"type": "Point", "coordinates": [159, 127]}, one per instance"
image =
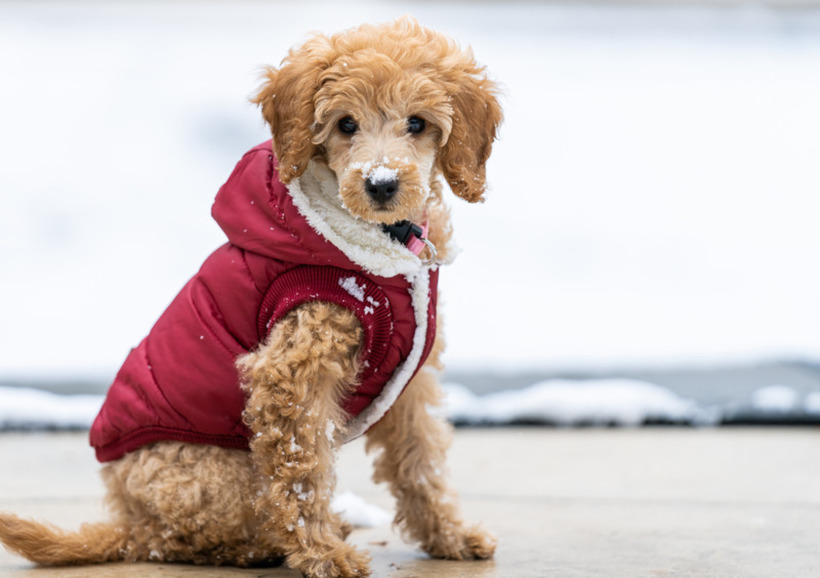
{"type": "Point", "coordinates": [176, 502]}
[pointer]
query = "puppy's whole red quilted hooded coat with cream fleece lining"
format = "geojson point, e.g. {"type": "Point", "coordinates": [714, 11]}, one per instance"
{"type": "Point", "coordinates": [287, 245]}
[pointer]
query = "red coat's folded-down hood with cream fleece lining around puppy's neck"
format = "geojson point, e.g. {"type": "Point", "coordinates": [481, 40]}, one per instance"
{"type": "Point", "coordinates": [305, 221]}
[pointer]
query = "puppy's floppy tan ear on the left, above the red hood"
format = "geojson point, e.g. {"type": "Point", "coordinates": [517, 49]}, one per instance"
{"type": "Point", "coordinates": [286, 100]}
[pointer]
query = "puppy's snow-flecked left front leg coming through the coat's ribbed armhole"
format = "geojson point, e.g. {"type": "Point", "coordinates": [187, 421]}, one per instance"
{"type": "Point", "coordinates": [296, 382]}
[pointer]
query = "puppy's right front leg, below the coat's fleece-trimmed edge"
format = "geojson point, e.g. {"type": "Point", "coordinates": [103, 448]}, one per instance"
{"type": "Point", "coordinates": [413, 448]}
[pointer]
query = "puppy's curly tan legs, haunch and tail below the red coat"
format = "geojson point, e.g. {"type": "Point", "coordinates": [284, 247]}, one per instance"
{"type": "Point", "coordinates": [178, 502]}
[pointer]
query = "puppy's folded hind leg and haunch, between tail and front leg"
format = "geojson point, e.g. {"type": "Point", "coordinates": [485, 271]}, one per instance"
{"type": "Point", "coordinates": [188, 503]}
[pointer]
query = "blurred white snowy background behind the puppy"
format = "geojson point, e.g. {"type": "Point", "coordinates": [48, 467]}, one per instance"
{"type": "Point", "coordinates": [653, 213]}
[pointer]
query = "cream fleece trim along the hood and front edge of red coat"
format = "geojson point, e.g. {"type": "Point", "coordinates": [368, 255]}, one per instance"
{"type": "Point", "coordinates": [315, 196]}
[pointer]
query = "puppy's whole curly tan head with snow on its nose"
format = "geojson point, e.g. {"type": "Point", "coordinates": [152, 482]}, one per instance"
{"type": "Point", "coordinates": [387, 108]}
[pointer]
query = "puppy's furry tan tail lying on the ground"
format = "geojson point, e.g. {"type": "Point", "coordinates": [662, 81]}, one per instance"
{"type": "Point", "coordinates": [50, 546]}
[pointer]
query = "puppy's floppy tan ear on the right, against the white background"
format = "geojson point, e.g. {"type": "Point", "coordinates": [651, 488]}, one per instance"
{"type": "Point", "coordinates": [476, 116]}
